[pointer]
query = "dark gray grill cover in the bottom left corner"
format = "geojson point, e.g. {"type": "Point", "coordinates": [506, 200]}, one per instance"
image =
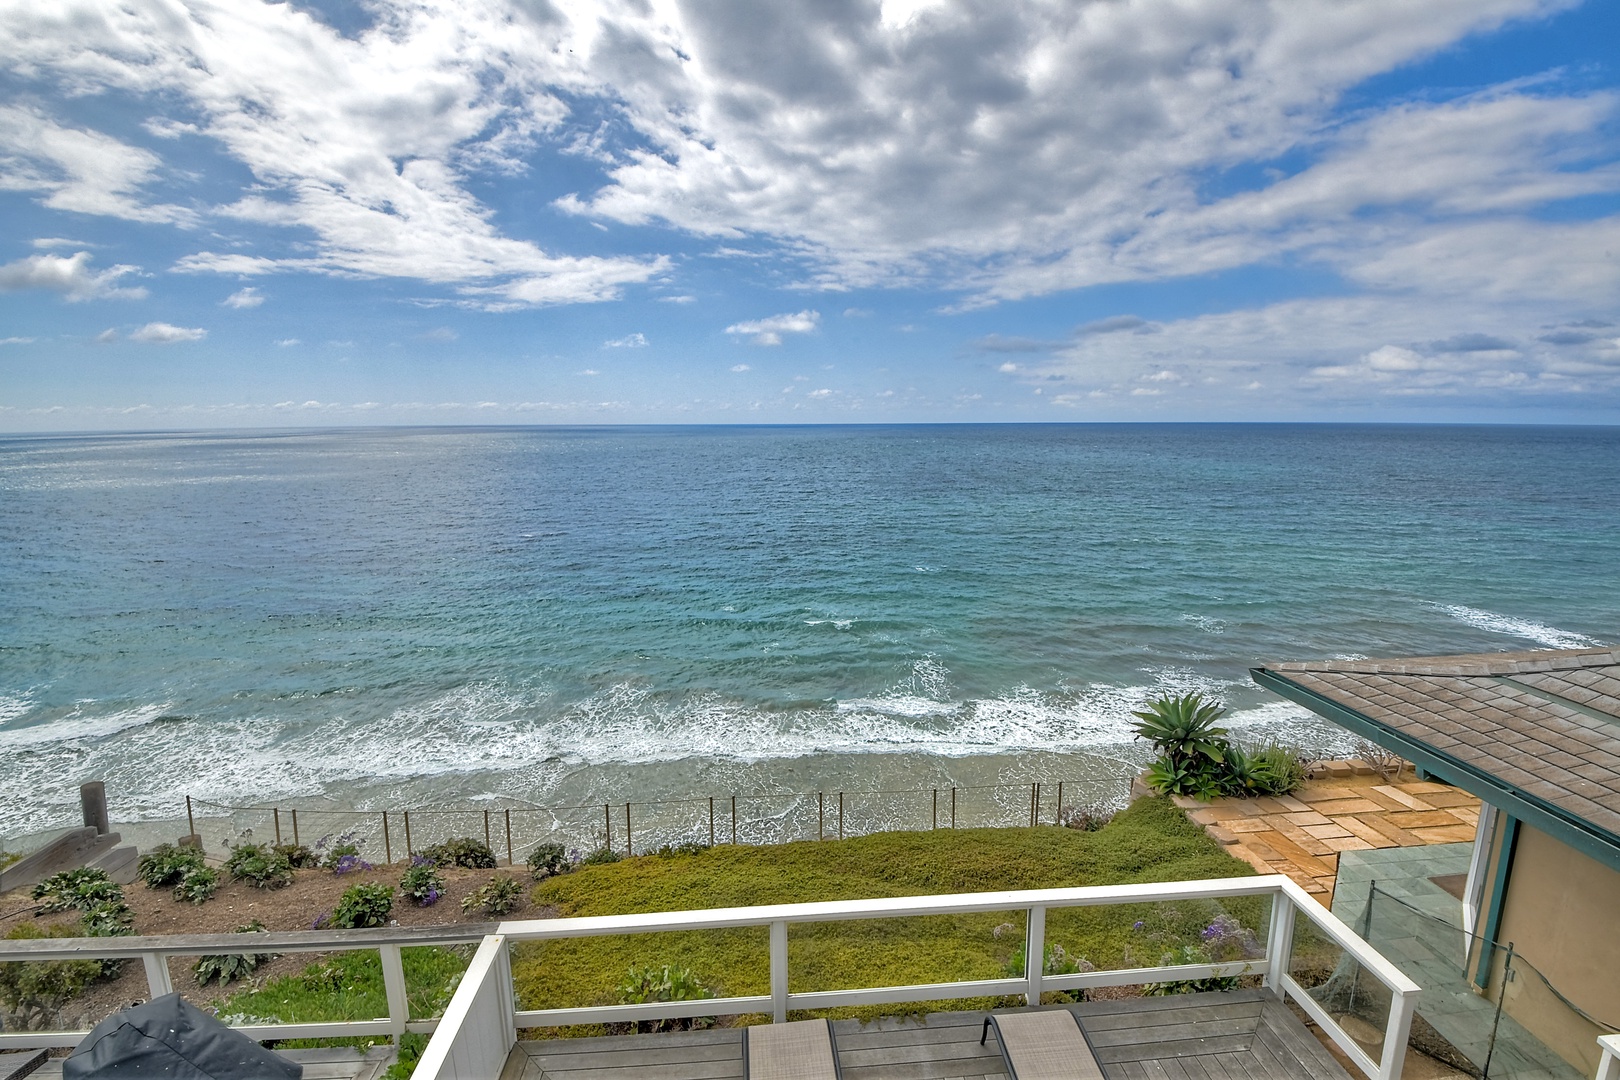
{"type": "Point", "coordinates": [176, 1040]}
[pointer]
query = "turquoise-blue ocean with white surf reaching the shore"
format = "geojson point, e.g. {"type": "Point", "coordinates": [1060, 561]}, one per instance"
{"type": "Point", "coordinates": [388, 616]}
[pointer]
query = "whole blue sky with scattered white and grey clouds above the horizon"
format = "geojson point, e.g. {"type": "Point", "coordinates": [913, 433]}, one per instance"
{"type": "Point", "coordinates": [231, 213]}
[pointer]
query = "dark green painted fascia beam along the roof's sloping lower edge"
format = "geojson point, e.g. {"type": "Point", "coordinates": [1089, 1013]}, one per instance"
{"type": "Point", "coordinates": [1532, 810]}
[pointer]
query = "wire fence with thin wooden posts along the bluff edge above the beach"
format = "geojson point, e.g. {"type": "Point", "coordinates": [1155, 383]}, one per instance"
{"type": "Point", "coordinates": [639, 827]}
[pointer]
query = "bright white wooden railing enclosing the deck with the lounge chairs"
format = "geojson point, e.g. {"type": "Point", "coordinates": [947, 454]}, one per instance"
{"type": "Point", "coordinates": [454, 1044]}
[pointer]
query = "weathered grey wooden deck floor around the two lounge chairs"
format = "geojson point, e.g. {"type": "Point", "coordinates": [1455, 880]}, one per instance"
{"type": "Point", "coordinates": [1240, 1035]}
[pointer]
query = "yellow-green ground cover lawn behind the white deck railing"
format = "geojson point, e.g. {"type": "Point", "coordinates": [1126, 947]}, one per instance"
{"type": "Point", "coordinates": [1151, 841]}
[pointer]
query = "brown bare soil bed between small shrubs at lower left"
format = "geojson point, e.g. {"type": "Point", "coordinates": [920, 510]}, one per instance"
{"type": "Point", "coordinates": [312, 896]}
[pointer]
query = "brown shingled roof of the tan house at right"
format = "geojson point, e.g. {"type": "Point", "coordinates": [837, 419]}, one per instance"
{"type": "Point", "coordinates": [1537, 733]}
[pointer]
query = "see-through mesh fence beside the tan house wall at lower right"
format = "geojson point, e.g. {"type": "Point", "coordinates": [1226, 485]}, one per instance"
{"type": "Point", "coordinates": [1522, 1027]}
